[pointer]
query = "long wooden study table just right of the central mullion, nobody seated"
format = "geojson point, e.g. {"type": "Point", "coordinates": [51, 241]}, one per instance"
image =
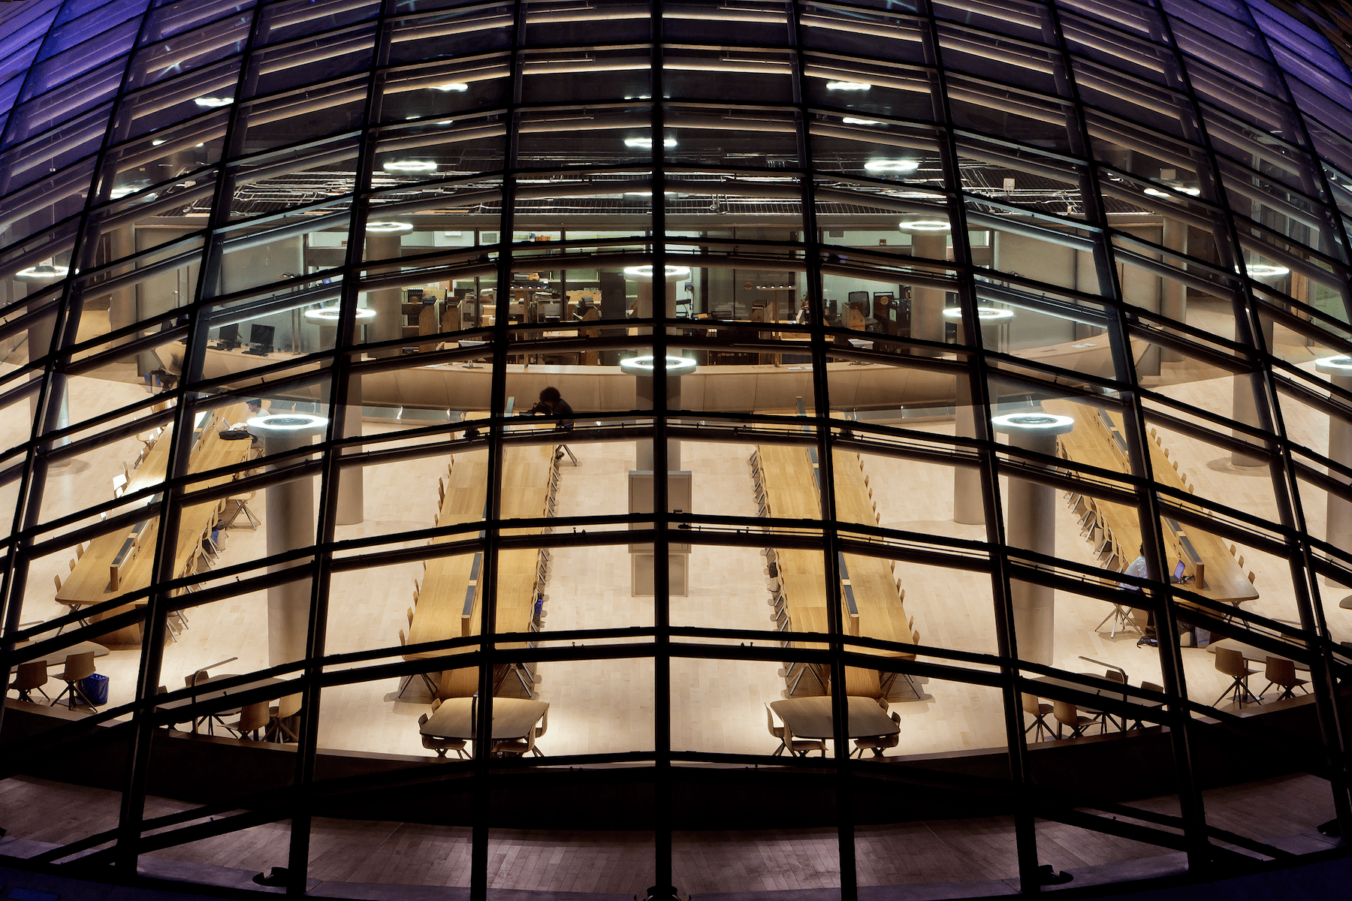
{"type": "Point", "coordinates": [871, 597]}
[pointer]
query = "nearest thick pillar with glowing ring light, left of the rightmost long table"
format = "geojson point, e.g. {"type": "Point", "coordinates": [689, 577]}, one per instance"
{"type": "Point", "coordinates": [1031, 524]}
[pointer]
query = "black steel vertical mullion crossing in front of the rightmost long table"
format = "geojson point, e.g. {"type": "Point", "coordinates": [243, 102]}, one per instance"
{"type": "Point", "coordinates": [1149, 505]}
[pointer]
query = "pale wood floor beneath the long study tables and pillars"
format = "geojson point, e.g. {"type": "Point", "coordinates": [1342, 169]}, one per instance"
{"type": "Point", "coordinates": [717, 706]}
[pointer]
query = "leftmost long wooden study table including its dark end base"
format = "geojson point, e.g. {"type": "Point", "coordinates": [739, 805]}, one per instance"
{"type": "Point", "coordinates": [93, 580]}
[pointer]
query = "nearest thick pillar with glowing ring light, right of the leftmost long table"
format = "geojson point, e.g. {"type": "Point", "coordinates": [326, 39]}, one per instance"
{"type": "Point", "coordinates": [291, 524]}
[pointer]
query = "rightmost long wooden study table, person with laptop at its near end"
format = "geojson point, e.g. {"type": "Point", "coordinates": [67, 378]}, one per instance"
{"type": "Point", "coordinates": [1097, 440]}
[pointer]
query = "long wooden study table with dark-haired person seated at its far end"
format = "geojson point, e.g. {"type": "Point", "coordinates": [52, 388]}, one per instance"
{"type": "Point", "coordinates": [451, 600]}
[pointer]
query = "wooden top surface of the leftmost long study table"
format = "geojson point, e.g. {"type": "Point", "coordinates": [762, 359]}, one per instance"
{"type": "Point", "coordinates": [91, 582]}
